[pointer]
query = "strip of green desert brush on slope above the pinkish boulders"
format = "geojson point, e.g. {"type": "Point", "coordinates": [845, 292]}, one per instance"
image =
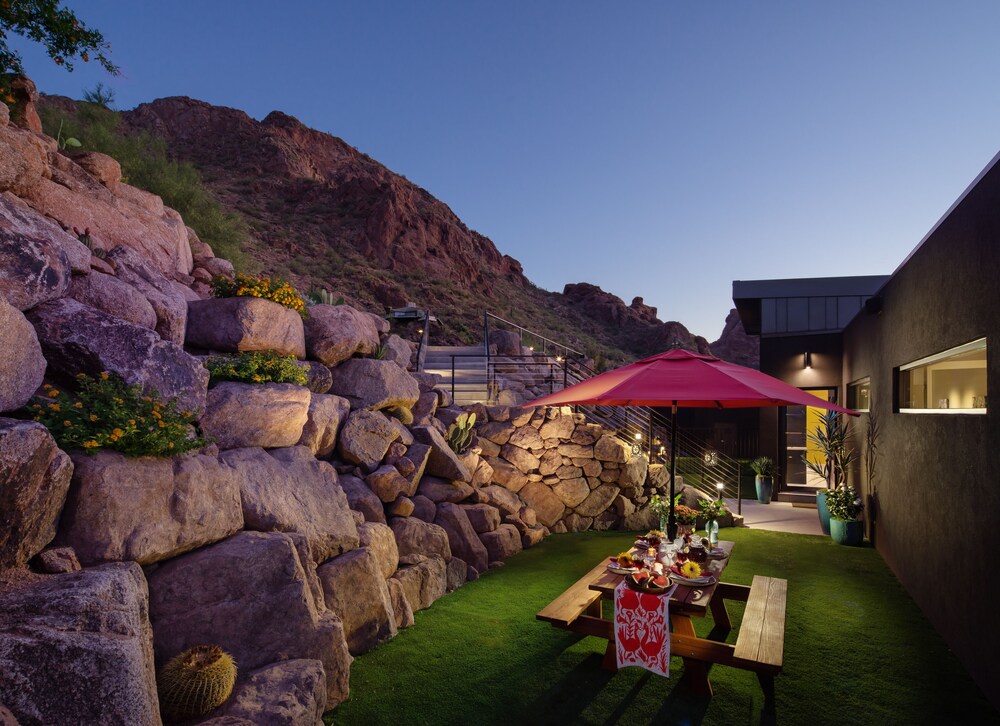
{"type": "Point", "coordinates": [146, 164]}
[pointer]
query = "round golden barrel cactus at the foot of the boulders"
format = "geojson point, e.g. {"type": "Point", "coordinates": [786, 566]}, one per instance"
{"type": "Point", "coordinates": [195, 682]}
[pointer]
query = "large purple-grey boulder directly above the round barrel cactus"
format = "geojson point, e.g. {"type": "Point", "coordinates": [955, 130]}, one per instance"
{"type": "Point", "coordinates": [228, 594]}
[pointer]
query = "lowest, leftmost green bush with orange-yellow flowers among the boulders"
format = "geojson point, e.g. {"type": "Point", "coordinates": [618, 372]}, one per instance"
{"type": "Point", "coordinates": [107, 413]}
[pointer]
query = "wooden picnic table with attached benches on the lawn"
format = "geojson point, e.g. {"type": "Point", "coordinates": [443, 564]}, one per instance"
{"type": "Point", "coordinates": [759, 645]}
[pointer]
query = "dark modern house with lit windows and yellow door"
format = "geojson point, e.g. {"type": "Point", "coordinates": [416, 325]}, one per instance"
{"type": "Point", "coordinates": [918, 352]}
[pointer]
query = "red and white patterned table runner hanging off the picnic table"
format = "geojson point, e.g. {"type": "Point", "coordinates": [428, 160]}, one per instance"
{"type": "Point", "coordinates": [642, 630]}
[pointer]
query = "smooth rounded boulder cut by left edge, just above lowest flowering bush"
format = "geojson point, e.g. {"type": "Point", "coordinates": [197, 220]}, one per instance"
{"type": "Point", "coordinates": [22, 366]}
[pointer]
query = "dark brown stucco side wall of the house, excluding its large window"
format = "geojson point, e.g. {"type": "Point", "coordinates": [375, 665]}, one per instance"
{"type": "Point", "coordinates": [938, 478]}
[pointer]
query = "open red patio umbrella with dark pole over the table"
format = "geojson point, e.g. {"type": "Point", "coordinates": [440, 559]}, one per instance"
{"type": "Point", "coordinates": [682, 379]}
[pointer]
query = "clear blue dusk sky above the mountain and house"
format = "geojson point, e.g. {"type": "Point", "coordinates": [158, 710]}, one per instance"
{"type": "Point", "coordinates": [660, 149]}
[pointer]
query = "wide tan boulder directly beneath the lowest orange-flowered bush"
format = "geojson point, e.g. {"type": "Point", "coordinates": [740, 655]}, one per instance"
{"type": "Point", "coordinates": [148, 509]}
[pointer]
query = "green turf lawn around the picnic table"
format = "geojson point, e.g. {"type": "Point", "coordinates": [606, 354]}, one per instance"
{"type": "Point", "coordinates": [857, 650]}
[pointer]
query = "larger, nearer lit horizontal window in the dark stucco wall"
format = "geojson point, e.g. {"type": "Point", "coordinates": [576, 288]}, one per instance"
{"type": "Point", "coordinates": [950, 382]}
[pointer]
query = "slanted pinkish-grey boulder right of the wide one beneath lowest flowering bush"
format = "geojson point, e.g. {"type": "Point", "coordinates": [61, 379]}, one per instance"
{"type": "Point", "coordinates": [287, 490]}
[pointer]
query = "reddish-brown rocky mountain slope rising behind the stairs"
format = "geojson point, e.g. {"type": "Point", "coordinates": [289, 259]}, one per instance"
{"type": "Point", "coordinates": [328, 216]}
